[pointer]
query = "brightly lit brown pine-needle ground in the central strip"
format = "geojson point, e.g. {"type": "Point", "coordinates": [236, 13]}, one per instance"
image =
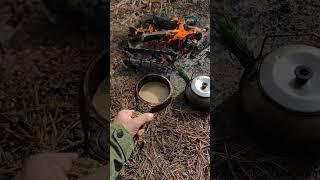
{"type": "Point", "coordinates": [176, 143]}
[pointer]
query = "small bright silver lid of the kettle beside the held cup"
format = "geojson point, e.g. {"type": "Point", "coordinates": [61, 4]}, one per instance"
{"type": "Point", "coordinates": [201, 86]}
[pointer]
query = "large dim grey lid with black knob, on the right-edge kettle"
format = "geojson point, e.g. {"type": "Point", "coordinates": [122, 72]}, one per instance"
{"type": "Point", "coordinates": [291, 77]}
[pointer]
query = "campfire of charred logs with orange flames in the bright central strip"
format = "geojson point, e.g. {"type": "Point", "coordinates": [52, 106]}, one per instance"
{"type": "Point", "coordinates": [155, 43]}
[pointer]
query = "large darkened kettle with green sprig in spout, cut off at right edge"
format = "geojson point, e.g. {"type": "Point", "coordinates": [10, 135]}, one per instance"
{"type": "Point", "coordinates": [280, 93]}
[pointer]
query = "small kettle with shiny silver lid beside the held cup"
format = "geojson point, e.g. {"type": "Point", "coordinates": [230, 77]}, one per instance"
{"type": "Point", "coordinates": [197, 93]}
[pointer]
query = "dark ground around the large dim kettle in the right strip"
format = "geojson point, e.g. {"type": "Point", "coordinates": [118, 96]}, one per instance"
{"type": "Point", "coordinates": [235, 155]}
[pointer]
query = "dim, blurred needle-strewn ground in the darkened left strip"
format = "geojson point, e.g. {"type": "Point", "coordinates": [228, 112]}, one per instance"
{"type": "Point", "coordinates": [41, 69]}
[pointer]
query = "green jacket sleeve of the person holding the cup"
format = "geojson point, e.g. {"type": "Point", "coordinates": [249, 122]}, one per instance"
{"type": "Point", "coordinates": [121, 146]}
